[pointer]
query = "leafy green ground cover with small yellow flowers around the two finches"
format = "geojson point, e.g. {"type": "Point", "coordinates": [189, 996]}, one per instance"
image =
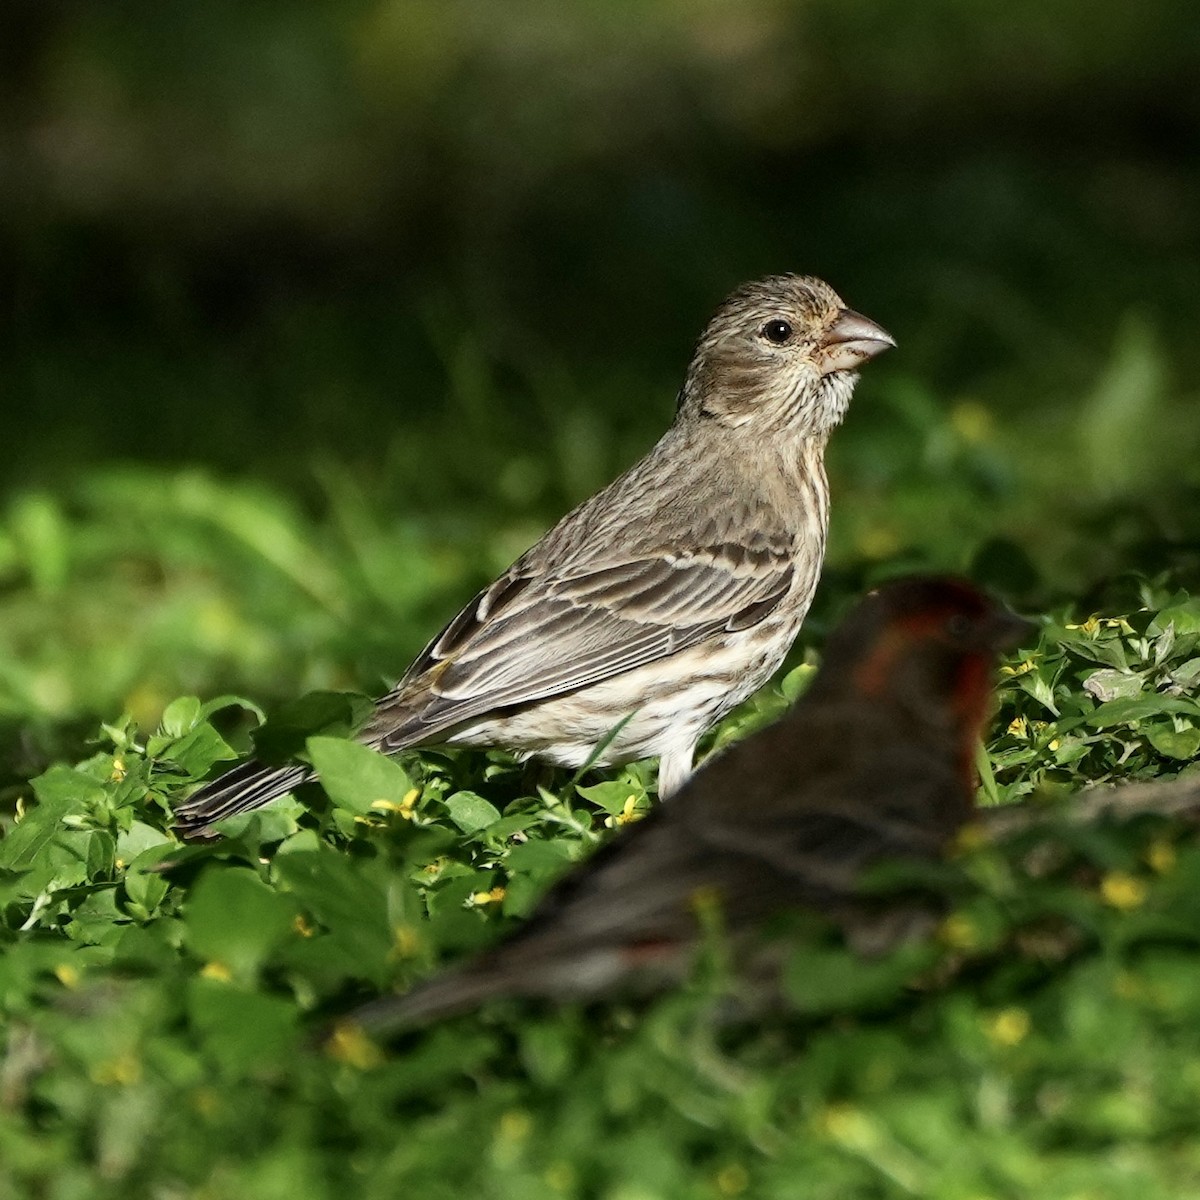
{"type": "Point", "coordinates": [166, 1007]}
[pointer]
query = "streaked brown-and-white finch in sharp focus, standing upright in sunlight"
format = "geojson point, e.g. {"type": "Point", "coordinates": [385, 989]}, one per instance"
{"type": "Point", "coordinates": [661, 604]}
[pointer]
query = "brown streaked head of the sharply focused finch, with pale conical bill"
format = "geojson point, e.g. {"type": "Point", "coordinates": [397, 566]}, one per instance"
{"type": "Point", "coordinates": [781, 353]}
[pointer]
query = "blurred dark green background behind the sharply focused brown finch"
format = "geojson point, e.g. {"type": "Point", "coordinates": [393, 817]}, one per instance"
{"type": "Point", "coordinates": [316, 315]}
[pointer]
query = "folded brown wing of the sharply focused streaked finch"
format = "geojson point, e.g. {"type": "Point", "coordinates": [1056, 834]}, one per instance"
{"type": "Point", "coordinates": [531, 637]}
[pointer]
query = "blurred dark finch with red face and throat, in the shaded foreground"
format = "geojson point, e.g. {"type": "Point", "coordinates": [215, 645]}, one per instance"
{"type": "Point", "coordinates": [874, 764]}
